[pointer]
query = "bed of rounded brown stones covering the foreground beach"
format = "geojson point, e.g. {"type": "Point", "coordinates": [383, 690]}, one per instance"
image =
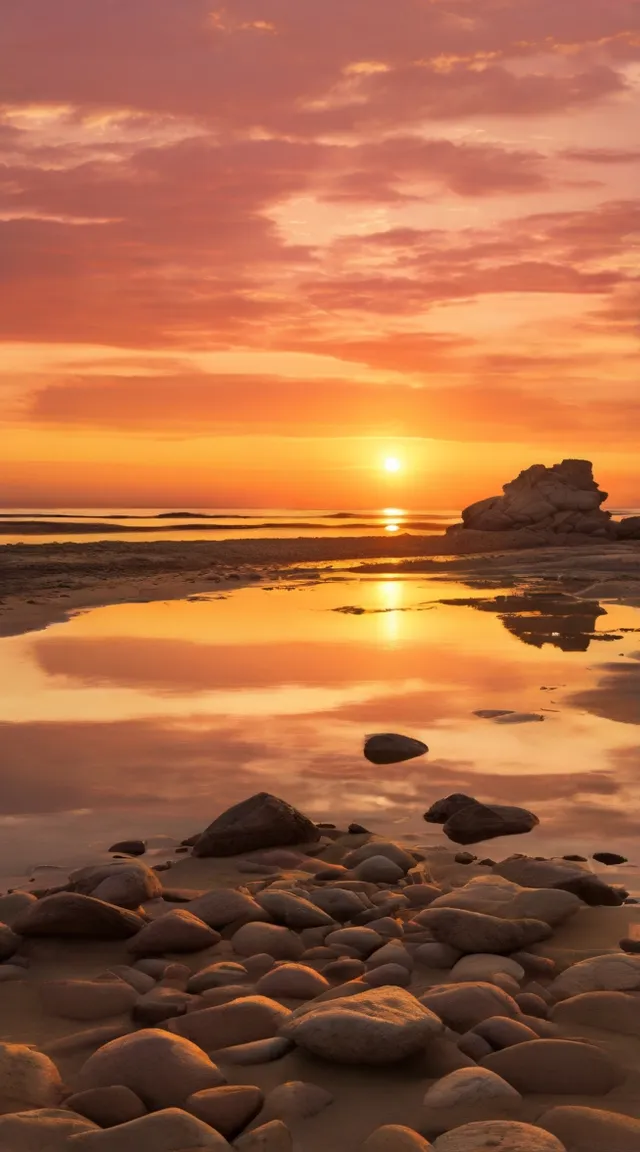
{"type": "Point", "coordinates": [222, 1015]}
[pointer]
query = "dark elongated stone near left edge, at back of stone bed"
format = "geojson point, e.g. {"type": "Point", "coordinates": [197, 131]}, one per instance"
{"type": "Point", "coordinates": [70, 914]}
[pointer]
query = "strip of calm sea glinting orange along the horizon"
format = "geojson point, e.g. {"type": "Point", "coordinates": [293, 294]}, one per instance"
{"type": "Point", "coordinates": [25, 526]}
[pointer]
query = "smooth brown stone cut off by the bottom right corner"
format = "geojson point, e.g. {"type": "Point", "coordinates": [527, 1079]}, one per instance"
{"type": "Point", "coordinates": [592, 1130]}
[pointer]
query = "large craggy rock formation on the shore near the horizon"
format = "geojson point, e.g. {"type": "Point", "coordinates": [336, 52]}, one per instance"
{"type": "Point", "coordinates": [544, 505]}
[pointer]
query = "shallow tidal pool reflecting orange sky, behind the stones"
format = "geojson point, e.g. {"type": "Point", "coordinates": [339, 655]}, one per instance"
{"type": "Point", "coordinates": [150, 719]}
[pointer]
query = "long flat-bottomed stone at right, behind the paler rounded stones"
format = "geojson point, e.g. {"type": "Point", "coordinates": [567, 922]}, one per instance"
{"type": "Point", "coordinates": [476, 933]}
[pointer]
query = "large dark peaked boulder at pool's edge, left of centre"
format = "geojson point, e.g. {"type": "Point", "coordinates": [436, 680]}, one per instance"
{"type": "Point", "coordinates": [261, 822]}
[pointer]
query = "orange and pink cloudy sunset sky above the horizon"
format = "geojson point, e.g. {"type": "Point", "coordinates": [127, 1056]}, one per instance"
{"type": "Point", "coordinates": [250, 252]}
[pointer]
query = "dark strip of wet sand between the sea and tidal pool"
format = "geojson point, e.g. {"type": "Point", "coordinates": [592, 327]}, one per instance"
{"type": "Point", "coordinates": [42, 585]}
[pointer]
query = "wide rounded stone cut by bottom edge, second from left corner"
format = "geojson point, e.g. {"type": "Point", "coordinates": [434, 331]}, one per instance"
{"type": "Point", "coordinates": [169, 1131]}
